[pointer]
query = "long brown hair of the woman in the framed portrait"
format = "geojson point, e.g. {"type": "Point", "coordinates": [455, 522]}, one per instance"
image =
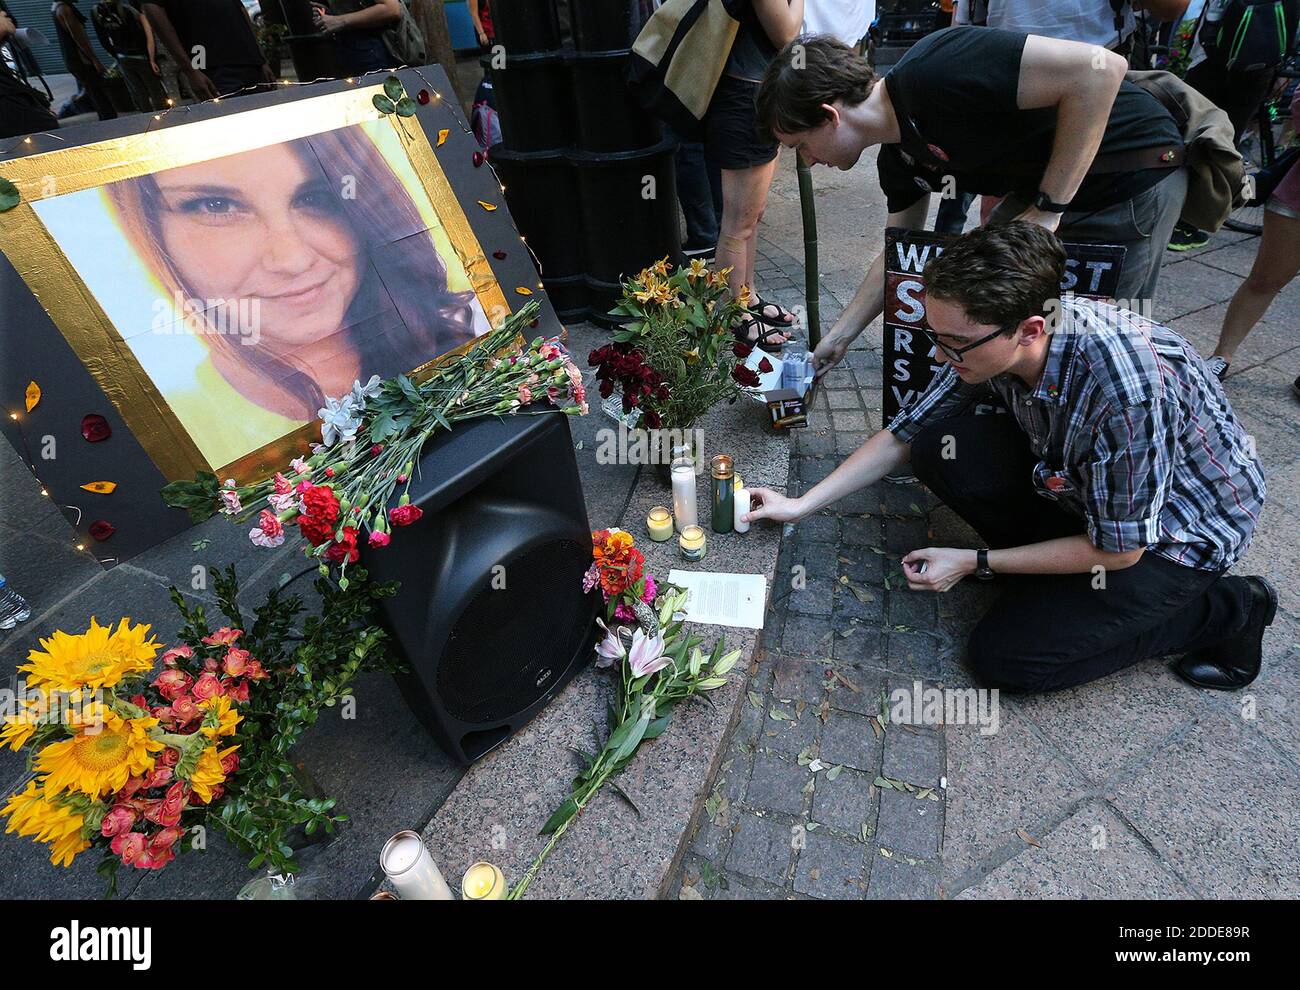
{"type": "Point", "coordinates": [415, 277]}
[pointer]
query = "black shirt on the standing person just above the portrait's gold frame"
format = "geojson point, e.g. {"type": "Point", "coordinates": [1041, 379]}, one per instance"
{"type": "Point", "coordinates": [214, 44]}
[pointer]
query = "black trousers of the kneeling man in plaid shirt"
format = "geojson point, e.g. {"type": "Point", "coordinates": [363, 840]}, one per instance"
{"type": "Point", "coordinates": [1058, 631]}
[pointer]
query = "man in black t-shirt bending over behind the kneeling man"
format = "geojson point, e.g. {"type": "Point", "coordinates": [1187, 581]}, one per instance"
{"type": "Point", "coordinates": [1048, 124]}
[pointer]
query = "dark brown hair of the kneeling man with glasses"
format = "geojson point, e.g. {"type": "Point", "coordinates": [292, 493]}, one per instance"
{"type": "Point", "coordinates": [1000, 275]}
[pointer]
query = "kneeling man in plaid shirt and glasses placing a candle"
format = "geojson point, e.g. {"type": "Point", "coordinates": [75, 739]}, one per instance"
{"type": "Point", "coordinates": [1112, 500]}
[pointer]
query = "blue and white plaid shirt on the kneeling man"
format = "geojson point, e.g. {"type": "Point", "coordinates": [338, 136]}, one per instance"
{"type": "Point", "coordinates": [1134, 433]}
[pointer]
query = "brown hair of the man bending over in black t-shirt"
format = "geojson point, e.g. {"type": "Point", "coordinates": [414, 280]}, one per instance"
{"type": "Point", "coordinates": [805, 75]}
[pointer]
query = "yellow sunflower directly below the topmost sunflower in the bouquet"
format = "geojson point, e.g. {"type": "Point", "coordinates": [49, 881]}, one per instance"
{"type": "Point", "coordinates": [102, 757]}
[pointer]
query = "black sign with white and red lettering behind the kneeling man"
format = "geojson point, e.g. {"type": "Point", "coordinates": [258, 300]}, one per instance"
{"type": "Point", "coordinates": [1093, 271]}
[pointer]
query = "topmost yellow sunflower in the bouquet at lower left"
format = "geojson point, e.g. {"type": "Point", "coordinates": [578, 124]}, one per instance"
{"type": "Point", "coordinates": [96, 659]}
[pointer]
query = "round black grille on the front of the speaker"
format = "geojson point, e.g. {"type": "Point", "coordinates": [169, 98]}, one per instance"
{"type": "Point", "coordinates": [512, 645]}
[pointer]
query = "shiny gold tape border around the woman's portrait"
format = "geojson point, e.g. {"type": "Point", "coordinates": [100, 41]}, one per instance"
{"type": "Point", "coordinates": [42, 264]}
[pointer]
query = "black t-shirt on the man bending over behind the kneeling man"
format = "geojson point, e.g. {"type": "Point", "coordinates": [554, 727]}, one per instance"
{"type": "Point", "coordinates": [955, 93]}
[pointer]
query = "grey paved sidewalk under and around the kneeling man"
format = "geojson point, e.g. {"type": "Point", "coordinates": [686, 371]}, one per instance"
{"type": "Point", "coordinates": [1136, 787]}
